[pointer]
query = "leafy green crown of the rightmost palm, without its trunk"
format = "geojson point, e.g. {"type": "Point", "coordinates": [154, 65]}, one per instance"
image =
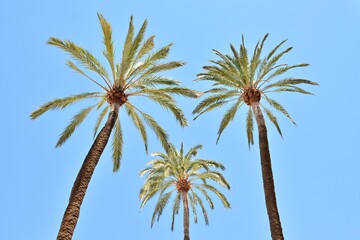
{"type": "Point", "coordinates": [242, 79]}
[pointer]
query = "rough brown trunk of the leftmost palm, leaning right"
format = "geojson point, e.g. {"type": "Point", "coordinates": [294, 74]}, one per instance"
{"type": "Point", "coordinates": [83, 178]}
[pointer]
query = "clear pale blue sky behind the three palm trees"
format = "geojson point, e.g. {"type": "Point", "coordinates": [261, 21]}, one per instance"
{"type": "Point", "coordinates": [316, 165]}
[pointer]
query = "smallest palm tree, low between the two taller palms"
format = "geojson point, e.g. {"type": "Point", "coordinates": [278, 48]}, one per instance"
{"type": "Point", "coordinates": [175, 171]}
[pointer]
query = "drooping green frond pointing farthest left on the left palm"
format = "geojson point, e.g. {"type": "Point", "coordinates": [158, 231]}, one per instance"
{"type": "Point", "coordinates": [61, 103]}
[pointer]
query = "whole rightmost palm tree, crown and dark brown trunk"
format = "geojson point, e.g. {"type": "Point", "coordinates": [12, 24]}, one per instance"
{"type": "Point", "coordinates": [239, 80]}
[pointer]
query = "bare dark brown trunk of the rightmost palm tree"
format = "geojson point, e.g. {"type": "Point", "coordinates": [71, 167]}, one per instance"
{"type": "Point", "coordinates": [268, 180]}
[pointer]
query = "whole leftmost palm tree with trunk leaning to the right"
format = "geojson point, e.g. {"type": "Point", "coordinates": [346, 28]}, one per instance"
{"type": "Point", "coordinates": [135, 76]}
